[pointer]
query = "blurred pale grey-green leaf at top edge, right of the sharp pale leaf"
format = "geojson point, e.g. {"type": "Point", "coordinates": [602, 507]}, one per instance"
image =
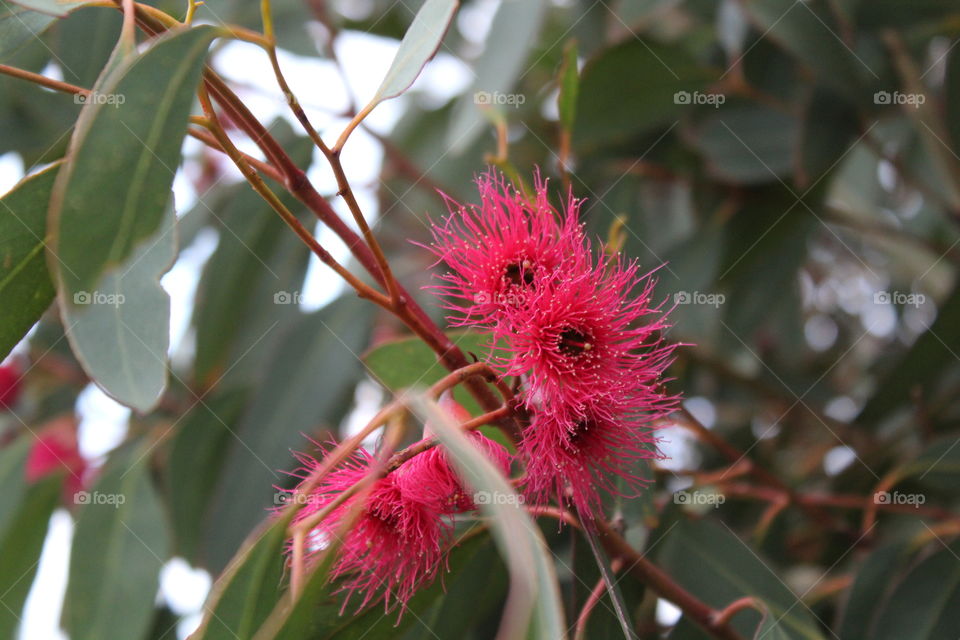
{"type": "Point", "coordinates": [512, 35]}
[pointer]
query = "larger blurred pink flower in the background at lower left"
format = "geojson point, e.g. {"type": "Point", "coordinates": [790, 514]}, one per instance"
{"type": "Point", "coordinates": [55, 450]}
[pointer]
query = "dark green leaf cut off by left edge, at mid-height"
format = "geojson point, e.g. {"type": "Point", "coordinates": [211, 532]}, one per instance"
{"type": "Point", "coordinates": [25, 287]}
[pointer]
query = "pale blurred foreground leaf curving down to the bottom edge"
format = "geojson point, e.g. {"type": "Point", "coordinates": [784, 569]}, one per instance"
{"type": "Point", "coordinates": [534, 591]}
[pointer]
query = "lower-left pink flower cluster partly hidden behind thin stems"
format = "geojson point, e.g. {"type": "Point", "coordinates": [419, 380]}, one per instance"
{"type": "Point", "coordinates": [404, 529]}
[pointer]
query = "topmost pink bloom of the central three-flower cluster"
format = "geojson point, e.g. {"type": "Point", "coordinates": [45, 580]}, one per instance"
{"type": "Point", "coordinates": [501, 251]}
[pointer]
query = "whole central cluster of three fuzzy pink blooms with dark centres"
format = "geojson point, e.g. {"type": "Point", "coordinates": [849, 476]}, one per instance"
{"type": "Point", "coordinates": [577, 328]}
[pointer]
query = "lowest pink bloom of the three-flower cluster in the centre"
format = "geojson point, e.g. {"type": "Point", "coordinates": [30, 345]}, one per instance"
{"type": "Point", "coordinates": [574, 460]}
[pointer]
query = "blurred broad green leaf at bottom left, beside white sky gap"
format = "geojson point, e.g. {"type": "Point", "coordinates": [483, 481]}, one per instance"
{"type": "Point", "coordinates": [120, 544]}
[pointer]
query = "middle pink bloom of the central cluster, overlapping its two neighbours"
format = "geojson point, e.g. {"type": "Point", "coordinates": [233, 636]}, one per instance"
{"type": "Point", "coordinates": [589, 338]}
